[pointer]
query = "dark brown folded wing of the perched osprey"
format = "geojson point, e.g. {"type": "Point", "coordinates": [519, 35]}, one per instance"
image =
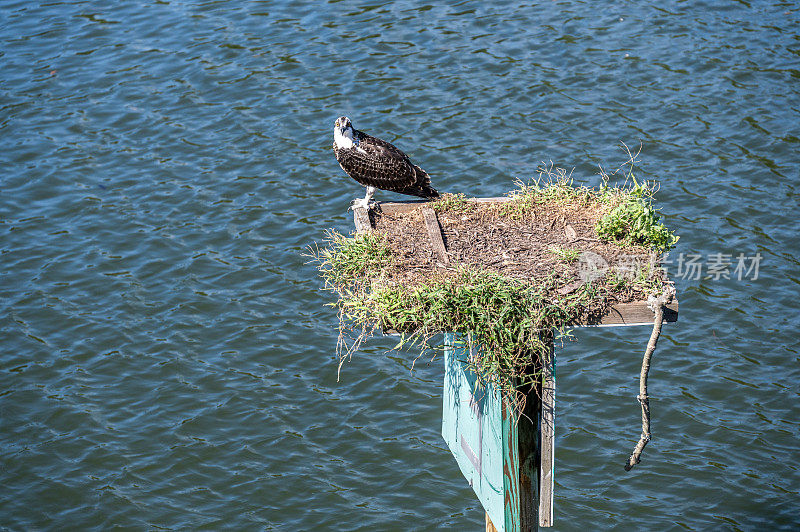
{"type": "Point", "coordinates": [382, 165]}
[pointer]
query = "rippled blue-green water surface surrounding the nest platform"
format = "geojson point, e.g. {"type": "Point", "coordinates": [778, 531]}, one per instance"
{"type": "Point", "coordinates": [167, 356]}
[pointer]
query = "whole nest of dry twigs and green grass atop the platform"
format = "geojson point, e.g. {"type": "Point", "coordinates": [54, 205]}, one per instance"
{"type": "Point", "coordinates": [503, 272]}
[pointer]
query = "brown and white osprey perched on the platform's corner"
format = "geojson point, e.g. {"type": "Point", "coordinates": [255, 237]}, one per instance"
{"type": "Point", "coordinates": [377, 164]}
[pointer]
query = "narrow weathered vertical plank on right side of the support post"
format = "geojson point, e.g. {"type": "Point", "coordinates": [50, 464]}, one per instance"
{"type": "Point", "coordinates": [547, 445]}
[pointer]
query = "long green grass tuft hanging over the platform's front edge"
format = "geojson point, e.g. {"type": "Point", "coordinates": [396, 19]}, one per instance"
{"type": "Point", "coordinates": [506, 318]}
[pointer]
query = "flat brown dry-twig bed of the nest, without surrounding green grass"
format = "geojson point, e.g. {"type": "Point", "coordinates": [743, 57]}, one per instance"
{"type": "Point", "coordinates": [553, 245]}
